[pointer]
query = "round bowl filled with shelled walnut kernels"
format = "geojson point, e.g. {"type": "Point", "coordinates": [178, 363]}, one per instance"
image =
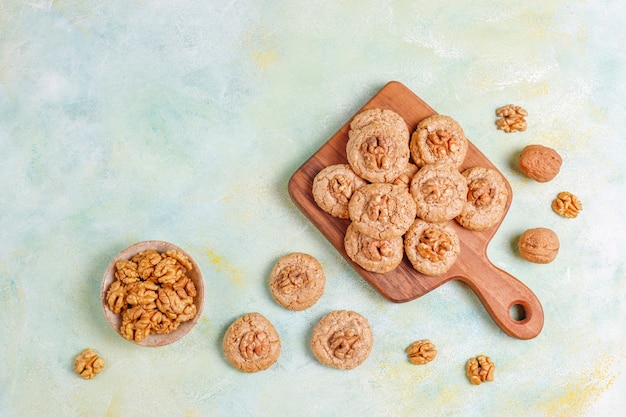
{"type": "Point", "coordinates": [152, 293]}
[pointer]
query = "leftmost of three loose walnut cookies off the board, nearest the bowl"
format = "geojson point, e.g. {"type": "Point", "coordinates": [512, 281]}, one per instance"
{"type": "Point", "coordinates": [251, 343]}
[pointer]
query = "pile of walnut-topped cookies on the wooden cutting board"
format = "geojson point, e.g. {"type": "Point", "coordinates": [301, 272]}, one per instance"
{"type": "Point", "coordinates": [401, 189]}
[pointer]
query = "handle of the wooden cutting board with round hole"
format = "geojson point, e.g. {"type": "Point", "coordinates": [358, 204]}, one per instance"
{"type": "Point", "coordinates": [511, 304]}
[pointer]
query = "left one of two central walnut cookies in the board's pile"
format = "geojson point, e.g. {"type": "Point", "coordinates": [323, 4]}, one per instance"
{"type": "Point", "coordinates": [382, 211]}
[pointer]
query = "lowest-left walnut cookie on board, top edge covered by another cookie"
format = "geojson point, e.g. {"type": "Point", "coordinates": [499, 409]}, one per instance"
{"type": "Point", "coordinates": [372, 254]}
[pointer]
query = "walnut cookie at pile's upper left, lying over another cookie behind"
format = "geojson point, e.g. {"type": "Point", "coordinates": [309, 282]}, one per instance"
{"type": "Point", "coordinates": [378, 152]}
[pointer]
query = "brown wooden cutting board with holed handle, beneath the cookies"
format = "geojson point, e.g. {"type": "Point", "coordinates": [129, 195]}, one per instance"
{"type": "Point", "coordinates": [502, 294]}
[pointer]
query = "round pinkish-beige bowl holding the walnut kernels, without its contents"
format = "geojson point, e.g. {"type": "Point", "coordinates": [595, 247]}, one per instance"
{"type": "Point", "coordinates": [195, 274]}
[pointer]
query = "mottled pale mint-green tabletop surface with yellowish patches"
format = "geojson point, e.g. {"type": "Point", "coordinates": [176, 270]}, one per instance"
{"type": "Point", "coordinates": [125, 121]}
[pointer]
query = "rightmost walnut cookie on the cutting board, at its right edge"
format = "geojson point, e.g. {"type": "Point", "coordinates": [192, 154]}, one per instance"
{"type": "Point", "coordinates": [486, 199]}
